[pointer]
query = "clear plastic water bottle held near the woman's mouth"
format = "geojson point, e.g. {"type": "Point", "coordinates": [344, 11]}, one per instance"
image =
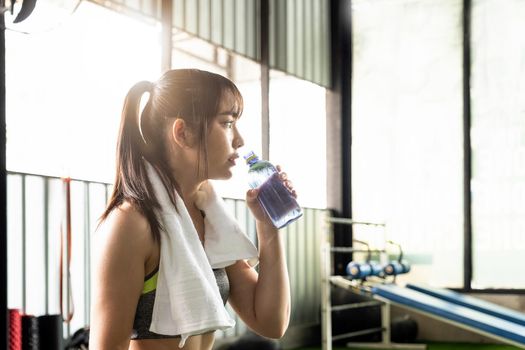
{"type": "Point", "coordinates": [274, 196]}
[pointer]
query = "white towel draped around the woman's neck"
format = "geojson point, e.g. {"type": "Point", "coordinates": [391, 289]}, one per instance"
{"type": "Point", "coordinates": [187, 299]}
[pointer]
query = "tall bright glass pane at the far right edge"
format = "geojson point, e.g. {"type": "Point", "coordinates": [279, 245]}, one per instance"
{"type": "Point", "coordinates": [498, 143]}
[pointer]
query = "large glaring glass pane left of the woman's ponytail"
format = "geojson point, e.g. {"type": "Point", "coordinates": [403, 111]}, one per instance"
{"type": "Point", "coordinates": [75, 76]}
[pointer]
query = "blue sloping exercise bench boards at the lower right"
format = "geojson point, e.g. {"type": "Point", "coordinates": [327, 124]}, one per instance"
{"type": "Point", "coordinates": [459, 312]}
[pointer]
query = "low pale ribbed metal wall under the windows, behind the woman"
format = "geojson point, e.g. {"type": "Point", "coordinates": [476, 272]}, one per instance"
{"type": "Point", "coordinates": [36, 217]}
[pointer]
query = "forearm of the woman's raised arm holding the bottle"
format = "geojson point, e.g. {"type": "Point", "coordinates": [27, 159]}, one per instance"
{"type": "Point", "coordinates": [272, 293]}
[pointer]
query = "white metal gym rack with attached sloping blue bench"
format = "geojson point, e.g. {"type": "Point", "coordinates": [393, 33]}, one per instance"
{"type": "Point", "coordinates": [462, 311]}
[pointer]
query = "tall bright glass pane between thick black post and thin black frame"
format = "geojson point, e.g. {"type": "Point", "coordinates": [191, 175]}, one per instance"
{"type": "Point", "coordinates": [407, 132]}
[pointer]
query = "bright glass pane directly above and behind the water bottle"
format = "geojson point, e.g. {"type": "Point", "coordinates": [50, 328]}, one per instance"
{"type": "Point", "coordinates": [298, 135]}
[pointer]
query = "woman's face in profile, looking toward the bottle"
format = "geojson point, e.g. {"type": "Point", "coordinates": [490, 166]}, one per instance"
{"type": "Point", "coordinates": [224, 139]}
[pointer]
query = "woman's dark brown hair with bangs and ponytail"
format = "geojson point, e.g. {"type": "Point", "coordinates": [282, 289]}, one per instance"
{"type": "Point", "coordinates": [191, 94]}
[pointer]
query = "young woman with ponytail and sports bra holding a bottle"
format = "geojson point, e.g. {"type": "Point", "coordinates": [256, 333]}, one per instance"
{"type": "Point", "coordinates": [188, 132]}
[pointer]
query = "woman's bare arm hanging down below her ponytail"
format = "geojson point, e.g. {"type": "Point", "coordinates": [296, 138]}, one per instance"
{"type": "Point", "coordinates": [119, 255]}
